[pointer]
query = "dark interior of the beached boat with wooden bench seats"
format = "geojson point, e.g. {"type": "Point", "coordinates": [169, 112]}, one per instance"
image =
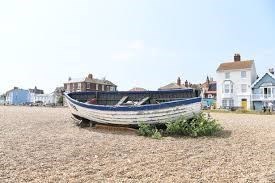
{"type": "Point", "coordinates": [124, 98]}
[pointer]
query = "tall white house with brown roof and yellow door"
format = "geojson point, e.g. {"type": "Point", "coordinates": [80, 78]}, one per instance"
{"type": "Point", "coordinates": [234, 80]}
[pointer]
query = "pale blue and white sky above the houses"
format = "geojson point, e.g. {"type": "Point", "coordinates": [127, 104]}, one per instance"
{"type": "Point", "coordinates": [133, 43]}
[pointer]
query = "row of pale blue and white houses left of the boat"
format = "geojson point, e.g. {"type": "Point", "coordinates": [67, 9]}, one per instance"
{"type": "Point", "coordinates": [19, 96]}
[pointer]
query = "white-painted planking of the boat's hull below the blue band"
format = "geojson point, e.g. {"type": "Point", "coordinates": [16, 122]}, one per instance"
{"type": "Point", "coordinates": [134, 117]}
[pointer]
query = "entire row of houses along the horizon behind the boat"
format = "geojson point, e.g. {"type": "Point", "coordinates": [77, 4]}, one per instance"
{"type": "Point", "coordinates": [237, 85]}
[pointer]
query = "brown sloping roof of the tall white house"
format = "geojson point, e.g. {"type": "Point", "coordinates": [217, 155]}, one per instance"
{"type": "Point", "coordinates": [247, 64]}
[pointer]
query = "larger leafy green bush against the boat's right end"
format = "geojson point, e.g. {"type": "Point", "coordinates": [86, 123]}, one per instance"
{"type": "Point", "coordinates": [200, 125]}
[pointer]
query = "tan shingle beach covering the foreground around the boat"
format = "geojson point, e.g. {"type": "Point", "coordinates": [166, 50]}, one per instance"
{"type": "Point", "coordinates": [44, 145]}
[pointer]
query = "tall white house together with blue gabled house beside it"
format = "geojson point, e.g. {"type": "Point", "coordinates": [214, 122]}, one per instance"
{"type": "Point", "coordinates": [238, 85]}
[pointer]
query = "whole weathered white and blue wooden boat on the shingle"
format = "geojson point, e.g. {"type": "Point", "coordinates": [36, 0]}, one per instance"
{"type": "Point", "coordinates": [133, 107]}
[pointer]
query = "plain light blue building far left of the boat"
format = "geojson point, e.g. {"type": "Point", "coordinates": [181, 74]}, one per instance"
{"type": "Point", "coordinates": [17, 96]}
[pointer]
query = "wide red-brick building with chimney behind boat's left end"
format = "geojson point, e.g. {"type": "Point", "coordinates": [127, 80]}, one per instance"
{"type": "Point", "coordinates": [89, 84]}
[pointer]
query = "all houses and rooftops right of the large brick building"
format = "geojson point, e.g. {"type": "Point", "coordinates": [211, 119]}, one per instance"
{"type": "Point", "coordinates": [237, 86]}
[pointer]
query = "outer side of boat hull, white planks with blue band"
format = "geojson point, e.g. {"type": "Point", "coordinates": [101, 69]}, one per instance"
{"type": "Point", "coordinates": [133, 115]}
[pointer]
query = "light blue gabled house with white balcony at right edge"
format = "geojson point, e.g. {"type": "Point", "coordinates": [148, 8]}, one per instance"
{"type": "Point", "coordinates": [263, 91]}
